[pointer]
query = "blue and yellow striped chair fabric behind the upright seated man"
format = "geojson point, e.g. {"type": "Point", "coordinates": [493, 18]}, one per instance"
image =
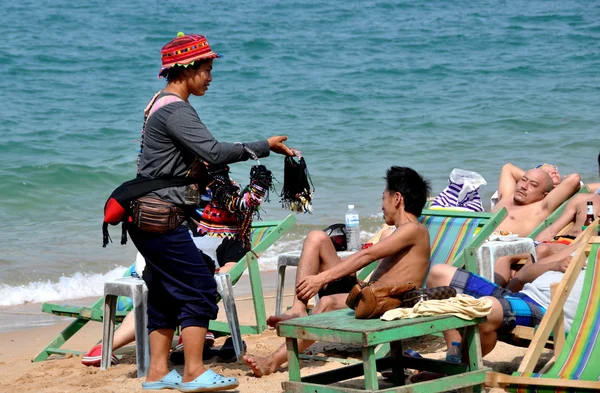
{"type": "Point", "coordinates": [448, 236]}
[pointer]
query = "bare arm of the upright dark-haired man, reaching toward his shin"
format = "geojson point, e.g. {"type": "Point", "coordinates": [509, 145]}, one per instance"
{"type": "Point", "coordinates": [403, 237]}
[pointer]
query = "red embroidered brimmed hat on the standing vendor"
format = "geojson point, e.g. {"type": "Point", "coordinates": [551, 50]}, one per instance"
{"type": "Point", "coordinates": [184, 50]}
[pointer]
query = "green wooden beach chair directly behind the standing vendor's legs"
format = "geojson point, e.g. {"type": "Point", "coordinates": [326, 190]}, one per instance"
{"type": "Point", "coordinates": [264, 234]}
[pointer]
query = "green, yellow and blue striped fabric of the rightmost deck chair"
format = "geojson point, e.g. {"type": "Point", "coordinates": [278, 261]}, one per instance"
{"type": "Point", "coordinates": [579, 360]}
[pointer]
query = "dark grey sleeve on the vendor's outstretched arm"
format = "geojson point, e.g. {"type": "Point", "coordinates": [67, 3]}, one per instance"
{"type": "Point", "coordinates": [185, 127]}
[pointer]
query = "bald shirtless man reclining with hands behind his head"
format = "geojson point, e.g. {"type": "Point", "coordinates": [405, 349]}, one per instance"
{"type": "Point", "coordinates": [532, 199]}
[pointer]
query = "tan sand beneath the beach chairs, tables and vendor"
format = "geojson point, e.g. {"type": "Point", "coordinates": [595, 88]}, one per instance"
{"type": "Point", "coordinates": [18, 374]}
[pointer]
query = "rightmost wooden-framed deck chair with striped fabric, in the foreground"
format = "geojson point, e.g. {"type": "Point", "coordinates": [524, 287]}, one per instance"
{"type": "Point", "coordinates": [577, 358]}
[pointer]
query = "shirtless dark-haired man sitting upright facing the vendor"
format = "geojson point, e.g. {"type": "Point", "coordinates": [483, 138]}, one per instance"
{"type": "Point", "coordinates": [403, 255]}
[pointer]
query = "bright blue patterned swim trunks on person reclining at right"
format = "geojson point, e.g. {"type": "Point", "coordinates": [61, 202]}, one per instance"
{"type": "Point", "coordinates": [518, 308]}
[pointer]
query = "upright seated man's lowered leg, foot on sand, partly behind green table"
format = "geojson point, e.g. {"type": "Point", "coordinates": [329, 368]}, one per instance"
{"type": "Point", "coordinates": [269, 364]}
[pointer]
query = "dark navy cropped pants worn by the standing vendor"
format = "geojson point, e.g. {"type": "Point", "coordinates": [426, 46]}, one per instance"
{"type": "Point", "coordinates": [181, 289]}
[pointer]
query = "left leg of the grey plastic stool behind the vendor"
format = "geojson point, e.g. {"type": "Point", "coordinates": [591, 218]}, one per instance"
{"type": "Point", "coordinates": [142, 346]}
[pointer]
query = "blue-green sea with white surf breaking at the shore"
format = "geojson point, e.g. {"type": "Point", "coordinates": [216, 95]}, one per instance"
{"type": "Point", "coordinates": [357, 86]}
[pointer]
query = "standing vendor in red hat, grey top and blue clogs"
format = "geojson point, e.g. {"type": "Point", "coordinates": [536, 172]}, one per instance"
{"type": "Point", "coordinates": [175, 143]}
